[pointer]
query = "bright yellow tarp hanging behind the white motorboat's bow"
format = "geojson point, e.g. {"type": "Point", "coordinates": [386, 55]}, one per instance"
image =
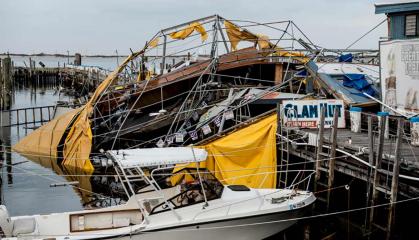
{"type": "Point", "coordinates": [248, 151]}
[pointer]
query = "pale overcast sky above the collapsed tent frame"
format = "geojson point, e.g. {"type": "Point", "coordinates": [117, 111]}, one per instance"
{"type": "Point", "coordinates": [101, 26]}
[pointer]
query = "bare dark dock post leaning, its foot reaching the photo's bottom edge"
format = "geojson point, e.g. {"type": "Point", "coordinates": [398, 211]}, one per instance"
{"type": "Point", "coordinates": [395, 180]}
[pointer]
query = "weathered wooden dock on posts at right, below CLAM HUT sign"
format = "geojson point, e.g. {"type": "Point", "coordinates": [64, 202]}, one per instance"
{"type": "Point", "coordinates": [380, 155]}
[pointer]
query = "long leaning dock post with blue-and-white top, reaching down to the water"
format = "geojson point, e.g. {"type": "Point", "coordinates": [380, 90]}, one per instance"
{"type": "Point", "coordinates": [383, 119]}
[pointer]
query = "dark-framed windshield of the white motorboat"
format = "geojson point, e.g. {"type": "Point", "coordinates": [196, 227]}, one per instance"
{"type": "Point", "coordinates": [191, 189]}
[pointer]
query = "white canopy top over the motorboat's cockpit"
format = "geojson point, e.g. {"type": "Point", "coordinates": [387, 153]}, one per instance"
{"type": "Point", "coordinates": [150, 157]}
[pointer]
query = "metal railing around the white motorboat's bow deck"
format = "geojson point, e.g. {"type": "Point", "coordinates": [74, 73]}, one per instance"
{"type": "Point", "coordinates": [262, 197]}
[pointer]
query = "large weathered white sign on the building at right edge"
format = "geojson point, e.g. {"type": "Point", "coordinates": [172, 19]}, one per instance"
{"type": "Point", "coordinates": [399, 62]}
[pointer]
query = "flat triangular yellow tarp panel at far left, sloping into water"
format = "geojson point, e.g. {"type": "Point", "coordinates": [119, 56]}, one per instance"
{"type": "Point", "coordinates": [43, 142]}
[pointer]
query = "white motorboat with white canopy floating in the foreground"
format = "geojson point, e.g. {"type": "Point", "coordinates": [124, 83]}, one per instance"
{"type": "Point", "coordinates": [200, 208]}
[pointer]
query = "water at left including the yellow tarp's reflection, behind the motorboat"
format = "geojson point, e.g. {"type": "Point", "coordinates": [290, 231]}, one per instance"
{"type": "Point", "coordinates": [27, 189]}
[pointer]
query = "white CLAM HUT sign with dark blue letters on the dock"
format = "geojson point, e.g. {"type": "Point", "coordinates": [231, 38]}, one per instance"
{"type": "Point", "coordinates": [306, 113]}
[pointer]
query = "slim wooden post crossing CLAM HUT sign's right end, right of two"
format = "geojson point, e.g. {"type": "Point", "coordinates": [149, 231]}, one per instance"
{"type": "Point", "coordinates": [332, 156]}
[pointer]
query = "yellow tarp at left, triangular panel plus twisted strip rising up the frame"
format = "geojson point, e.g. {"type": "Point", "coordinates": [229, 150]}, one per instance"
{"type": "Point", "coordinates": [44, 141]}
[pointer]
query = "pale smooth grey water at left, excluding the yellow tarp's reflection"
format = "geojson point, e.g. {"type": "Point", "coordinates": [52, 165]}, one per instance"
{"type": "Point", "coordinates": [24, 192]}
